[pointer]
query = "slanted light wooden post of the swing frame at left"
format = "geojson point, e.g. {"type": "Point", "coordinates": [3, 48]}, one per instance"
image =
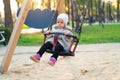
{"type": "Point", "coordinates": [15, 36]}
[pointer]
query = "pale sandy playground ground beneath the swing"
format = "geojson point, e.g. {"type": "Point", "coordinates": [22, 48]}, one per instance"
{"type": "Point", "coordinates": [91, 62]}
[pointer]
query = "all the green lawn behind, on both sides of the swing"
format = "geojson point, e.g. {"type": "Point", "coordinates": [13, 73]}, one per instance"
{"type": "Point", "coordinates": [90, 34]}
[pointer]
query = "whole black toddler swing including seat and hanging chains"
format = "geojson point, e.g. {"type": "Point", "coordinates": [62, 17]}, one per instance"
{"type": "Point", "coordinates": [73, 43]}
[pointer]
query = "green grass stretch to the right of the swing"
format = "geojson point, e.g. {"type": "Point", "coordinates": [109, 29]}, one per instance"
{"type": "Point", "coordinates": [97, 34]}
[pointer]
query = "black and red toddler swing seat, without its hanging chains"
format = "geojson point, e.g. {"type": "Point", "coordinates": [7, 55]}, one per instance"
{"type": "Point", "coordinates": [69, 52]}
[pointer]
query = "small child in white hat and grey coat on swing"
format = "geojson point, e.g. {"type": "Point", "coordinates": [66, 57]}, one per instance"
{"type": "Point", "coordinates": [62, 44]}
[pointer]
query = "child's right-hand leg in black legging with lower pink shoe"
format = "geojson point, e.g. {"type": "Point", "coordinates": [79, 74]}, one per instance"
{"type": "Point", "coordinates": [55, 55]}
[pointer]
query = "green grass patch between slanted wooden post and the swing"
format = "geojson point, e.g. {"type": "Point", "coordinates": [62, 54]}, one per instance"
{"type": "Point", "coordinates": [30, 39]}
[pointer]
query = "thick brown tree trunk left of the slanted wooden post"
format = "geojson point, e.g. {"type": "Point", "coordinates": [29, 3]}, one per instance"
{"type": "Point", "coordinates": [8, 14]}
